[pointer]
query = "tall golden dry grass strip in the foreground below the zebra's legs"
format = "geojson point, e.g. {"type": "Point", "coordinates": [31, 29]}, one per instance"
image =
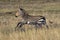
{"type": "Point", "coordinates": [41, 34]}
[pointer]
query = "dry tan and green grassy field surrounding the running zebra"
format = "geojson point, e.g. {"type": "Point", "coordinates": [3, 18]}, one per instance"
{"type": "Point", "coordinates": [8, 21]}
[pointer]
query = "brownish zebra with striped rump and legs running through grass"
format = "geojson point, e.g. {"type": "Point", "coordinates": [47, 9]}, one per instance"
{"type": "Point", "coordinates": [38, 21]}
